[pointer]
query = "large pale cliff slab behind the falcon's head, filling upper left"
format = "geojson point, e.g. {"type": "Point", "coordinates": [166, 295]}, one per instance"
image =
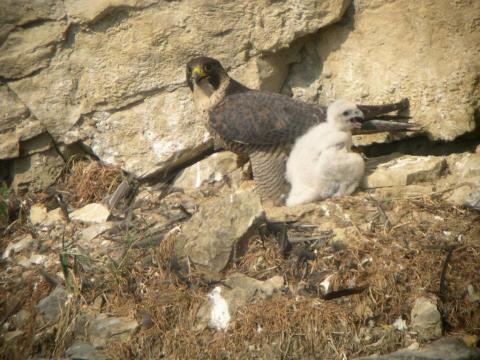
{"type": "Point", "coordinates": [111, 73]}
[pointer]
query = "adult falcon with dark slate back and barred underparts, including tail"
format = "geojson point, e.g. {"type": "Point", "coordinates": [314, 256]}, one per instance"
{"type": "Point", "coordinates": [262, 125]}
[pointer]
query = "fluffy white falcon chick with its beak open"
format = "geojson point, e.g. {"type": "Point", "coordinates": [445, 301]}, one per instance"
{"type": "Point", "coordinates": [321, 163]}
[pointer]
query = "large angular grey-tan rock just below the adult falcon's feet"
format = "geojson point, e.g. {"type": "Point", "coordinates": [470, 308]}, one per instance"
{"type": "Point", "coordinates": [220, 229]}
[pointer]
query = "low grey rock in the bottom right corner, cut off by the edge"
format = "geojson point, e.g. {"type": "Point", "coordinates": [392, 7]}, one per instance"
{"type": "Point", "coordinates": [443, 349]}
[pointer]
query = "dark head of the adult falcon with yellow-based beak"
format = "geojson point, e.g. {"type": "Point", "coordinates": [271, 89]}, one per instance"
{"type": "Point", "coordinates": [206, 74]}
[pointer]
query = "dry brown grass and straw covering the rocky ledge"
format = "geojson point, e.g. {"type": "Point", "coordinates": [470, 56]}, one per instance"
{"type": "Point", "coordinates": [396, 248]}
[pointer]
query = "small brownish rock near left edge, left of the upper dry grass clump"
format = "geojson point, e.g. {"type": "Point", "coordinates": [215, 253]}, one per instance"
{"type": "Point", "coordinates": [36, 172]}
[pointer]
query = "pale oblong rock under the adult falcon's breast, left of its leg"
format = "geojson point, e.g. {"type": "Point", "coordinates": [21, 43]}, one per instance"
{"type": "Point", "coordinates": [214, 168]}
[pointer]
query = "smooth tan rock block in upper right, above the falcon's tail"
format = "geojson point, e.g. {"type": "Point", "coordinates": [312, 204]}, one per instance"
{"type": "Point", "coordinates": [373, 56]}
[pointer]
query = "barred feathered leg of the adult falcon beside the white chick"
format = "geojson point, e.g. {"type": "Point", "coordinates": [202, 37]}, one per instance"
{"type": "Point", "coordinates": [268, 168]}
